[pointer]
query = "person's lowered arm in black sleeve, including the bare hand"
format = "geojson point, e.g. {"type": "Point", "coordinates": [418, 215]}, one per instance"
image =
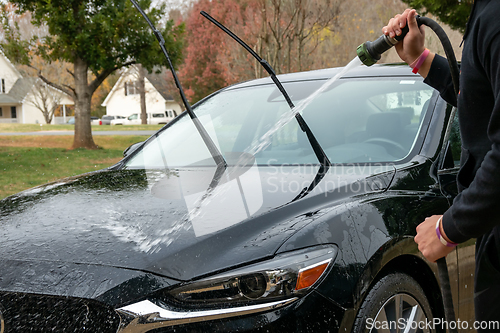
{"type": "Point", "coordinates": [475, 210]}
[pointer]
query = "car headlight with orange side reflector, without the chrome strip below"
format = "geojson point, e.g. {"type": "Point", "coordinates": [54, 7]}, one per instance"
{"type": "Point", "coordinates": [286, 275]}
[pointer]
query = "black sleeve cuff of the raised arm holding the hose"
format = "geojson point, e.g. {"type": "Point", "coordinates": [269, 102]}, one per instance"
{"type": "Point", "coordinates": [439, 78]}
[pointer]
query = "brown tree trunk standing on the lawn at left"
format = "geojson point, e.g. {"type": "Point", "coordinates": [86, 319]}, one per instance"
{"type": "Point", "coordinates": [83, 95]}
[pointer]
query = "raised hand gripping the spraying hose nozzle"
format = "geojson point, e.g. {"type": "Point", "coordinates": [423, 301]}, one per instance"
{"type": "Point", "coordinates": [412, 45]}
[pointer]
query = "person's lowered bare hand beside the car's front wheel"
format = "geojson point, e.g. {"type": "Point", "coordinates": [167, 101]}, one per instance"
{"type": "Point", "coordinates": [428, 242]}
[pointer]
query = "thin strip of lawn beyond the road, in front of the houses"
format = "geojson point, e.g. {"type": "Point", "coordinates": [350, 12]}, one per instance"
{"type": "Point", "coordinates": [10, 128]}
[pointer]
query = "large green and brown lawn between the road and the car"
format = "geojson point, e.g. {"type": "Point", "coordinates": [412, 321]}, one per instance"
{"type": "Point", "coordinates": [27, 161]}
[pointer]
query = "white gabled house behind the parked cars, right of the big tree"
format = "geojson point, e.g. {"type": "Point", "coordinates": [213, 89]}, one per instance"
{"type": "Point", "coordinates": [124, 100]}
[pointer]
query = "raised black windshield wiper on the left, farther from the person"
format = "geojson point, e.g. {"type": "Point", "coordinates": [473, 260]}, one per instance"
{"type": "Point", "coordinates": [214, 151]}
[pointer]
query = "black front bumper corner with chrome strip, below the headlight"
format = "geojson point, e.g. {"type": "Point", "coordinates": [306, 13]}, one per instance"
{"type": "Point", "coordinates": [312, 313]}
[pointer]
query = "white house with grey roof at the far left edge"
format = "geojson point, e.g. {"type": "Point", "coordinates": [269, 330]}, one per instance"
{"type": "Point", "coordinates": [18, 97]}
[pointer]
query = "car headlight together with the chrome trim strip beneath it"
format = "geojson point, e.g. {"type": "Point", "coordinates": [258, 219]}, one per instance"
{"type": "Point", "coordinates": [257, 288]}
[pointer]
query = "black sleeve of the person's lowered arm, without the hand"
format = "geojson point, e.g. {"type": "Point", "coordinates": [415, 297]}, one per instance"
{"type": "Point", "coordinates": [476, 210]}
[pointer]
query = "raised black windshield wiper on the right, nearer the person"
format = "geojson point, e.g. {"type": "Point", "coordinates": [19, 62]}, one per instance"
{"type": "Point", "coordinates": [318, 150]}
